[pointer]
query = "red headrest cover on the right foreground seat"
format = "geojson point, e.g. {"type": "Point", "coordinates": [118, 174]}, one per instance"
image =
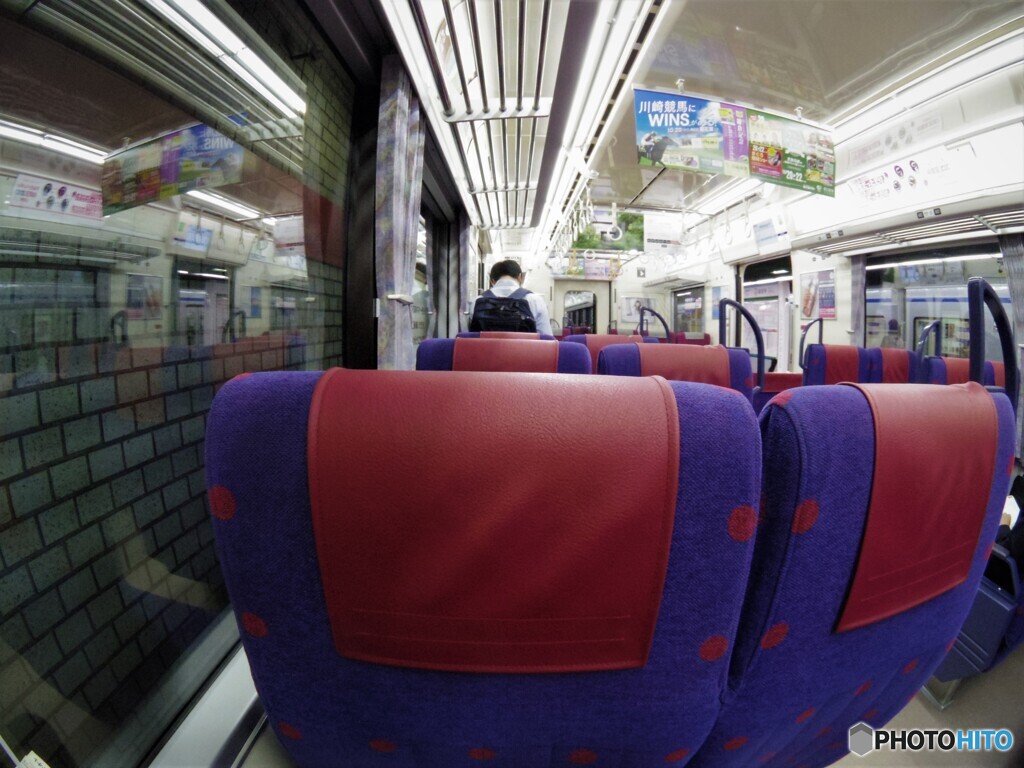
{"type": "Point", "coordinates": [935, 453]}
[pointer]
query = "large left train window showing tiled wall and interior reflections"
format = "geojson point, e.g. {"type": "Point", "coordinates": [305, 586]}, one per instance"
{"type": "Point", "coordinates": [129, 294]}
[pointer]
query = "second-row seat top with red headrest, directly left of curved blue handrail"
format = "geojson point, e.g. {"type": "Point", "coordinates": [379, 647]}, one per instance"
{"type": "Point", "coordinates": [716, 365]}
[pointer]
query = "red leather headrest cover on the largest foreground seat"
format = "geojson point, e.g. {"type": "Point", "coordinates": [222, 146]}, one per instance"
{"type": "Point", "coordinates": [448, 538]}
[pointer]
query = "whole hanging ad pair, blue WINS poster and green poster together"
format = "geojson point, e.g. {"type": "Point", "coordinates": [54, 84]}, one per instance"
{"type": "Point", "coordinates": [706, 137]}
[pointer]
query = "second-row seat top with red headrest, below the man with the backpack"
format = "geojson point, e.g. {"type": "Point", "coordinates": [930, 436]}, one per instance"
{"type": "Point", "coordinates": [496, 354]}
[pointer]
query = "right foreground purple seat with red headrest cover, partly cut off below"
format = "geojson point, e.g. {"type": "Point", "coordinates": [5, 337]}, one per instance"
{"type": "Point", "coordinates": [881, 504]}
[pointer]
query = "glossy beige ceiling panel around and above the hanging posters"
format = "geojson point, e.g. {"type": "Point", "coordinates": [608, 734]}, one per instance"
{"type": "Point", "coordinates": [823, 60]}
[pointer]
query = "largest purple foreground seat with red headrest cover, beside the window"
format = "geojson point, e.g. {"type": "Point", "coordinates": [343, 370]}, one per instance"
{"type": "Point", "coordinates": [409, 595]}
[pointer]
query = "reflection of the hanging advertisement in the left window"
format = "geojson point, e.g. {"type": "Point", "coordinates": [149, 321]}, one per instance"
{"type": "Point", "coordinates": [191, 159]}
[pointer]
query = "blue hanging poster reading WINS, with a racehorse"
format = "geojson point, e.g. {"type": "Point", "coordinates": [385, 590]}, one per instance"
{"type": "Point", "coordinates": [691, 134]}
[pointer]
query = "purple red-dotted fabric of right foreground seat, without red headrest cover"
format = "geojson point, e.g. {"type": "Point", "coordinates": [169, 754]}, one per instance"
{"type": "Point", "coordinates": [797, 685]}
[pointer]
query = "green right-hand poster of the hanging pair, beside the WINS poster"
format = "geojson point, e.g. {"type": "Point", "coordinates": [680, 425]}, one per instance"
{"type": "Point", "coordinates": [792, 154]}
